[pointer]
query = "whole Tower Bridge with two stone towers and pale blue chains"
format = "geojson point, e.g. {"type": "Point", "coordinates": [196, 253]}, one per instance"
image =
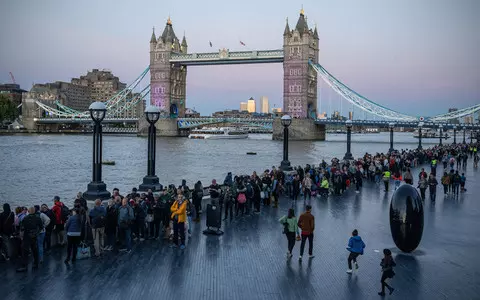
{"type": "Point", "coordinates": [166, 89]}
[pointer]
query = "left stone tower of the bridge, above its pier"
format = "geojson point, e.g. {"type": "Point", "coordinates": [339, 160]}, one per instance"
{"type": "Point", "coordinates": [167, 81]}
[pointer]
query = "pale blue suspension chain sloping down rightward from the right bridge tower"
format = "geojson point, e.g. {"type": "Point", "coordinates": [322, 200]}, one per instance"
{"type": "Point", "coordinates": [357, 99]}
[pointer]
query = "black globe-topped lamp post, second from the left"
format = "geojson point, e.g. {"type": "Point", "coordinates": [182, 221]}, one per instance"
{"type": "Point", "coordinates": [152, 114]}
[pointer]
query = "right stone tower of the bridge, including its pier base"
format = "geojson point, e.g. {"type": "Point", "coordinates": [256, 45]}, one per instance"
{"type": "Point", "coordinates": [300, 82]}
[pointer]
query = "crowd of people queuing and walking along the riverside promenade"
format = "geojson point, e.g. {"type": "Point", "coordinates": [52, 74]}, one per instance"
{"type": "Point", "coordinates": [169, 213]}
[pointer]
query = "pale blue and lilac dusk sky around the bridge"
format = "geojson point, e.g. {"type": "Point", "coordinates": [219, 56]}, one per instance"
{"type": "Point", "coordinates": [398, 61]}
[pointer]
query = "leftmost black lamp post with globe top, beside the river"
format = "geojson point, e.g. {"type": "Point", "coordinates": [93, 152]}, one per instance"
{"type": "Point", "coordinates": [97, 189]}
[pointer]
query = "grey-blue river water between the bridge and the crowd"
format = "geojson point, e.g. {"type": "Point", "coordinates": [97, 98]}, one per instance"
{"type": "Point", "coordinates": [34, 168]}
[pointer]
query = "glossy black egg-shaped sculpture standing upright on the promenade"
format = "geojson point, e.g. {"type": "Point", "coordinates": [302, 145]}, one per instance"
{"type": "Point", "coordinates": [406, 218]}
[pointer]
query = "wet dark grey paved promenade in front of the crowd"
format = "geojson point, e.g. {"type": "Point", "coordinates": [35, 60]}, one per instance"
{"type": "Point", "coordinates": [248, 261]}
